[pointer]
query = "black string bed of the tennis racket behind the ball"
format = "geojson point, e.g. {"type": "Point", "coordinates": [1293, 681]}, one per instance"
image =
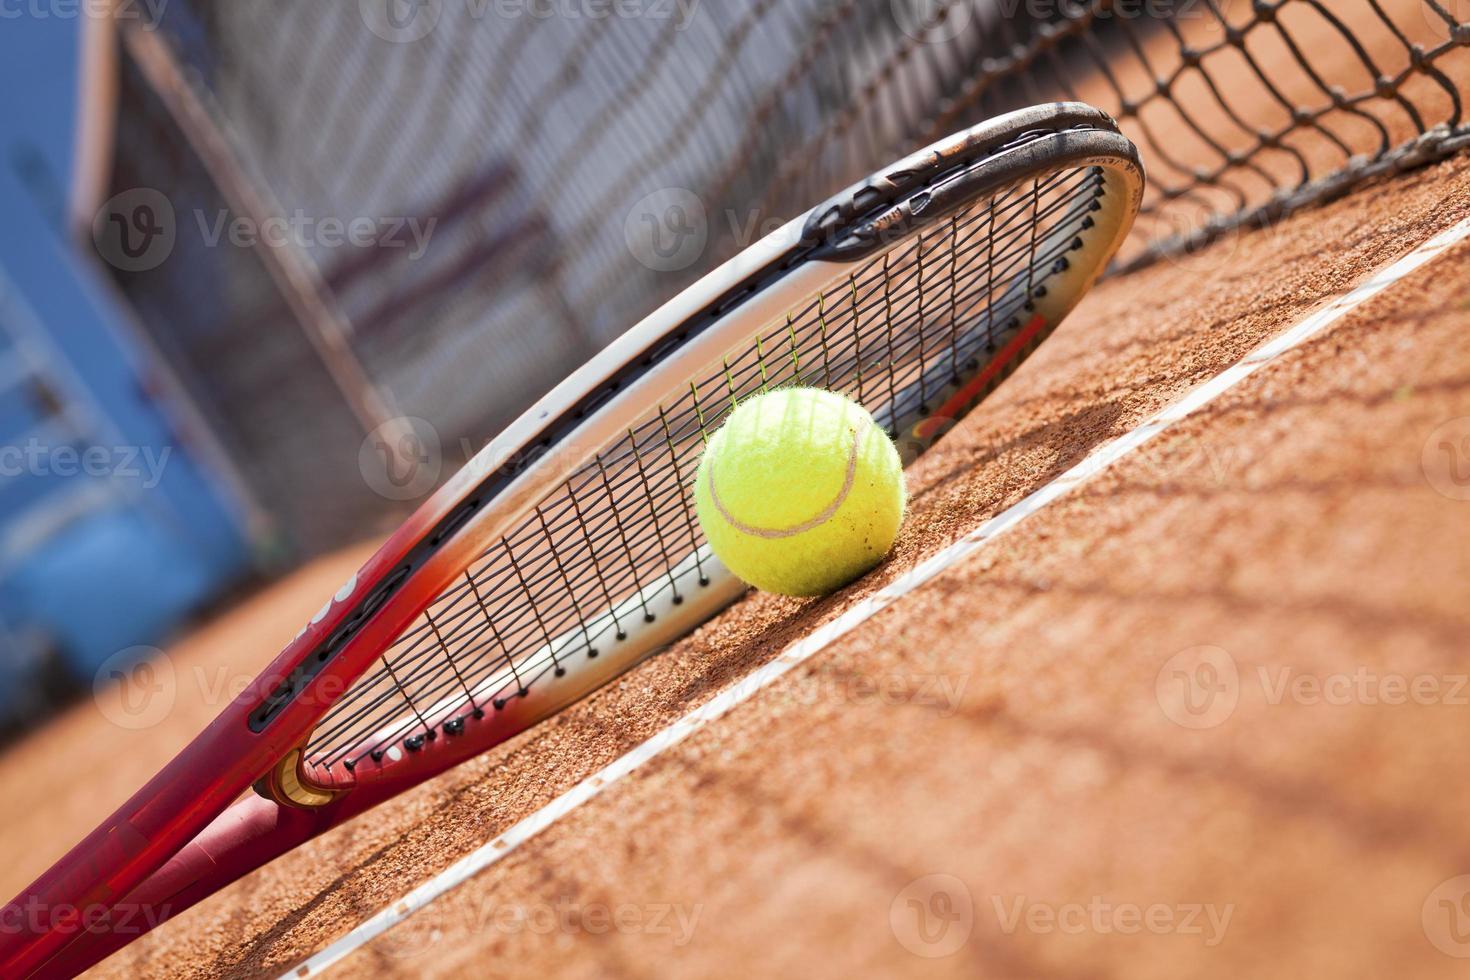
{"type": "Point", "coordinates": [584, 566]}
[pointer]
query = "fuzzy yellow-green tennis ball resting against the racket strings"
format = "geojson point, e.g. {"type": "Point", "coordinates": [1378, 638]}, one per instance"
{"type": "Point", "coordinates": [800, 491]}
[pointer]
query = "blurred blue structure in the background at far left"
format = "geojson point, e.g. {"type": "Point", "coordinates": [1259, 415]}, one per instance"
{"type": "Point", "coordinates": [111, 530]}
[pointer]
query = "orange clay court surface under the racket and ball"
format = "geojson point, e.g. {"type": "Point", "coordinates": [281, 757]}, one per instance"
{"type": "Point", "coordinates": [1008, 727]}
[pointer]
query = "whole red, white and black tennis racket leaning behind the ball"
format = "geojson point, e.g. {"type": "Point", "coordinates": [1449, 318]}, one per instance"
{"type": "Point", "coordinates": [568, 550]}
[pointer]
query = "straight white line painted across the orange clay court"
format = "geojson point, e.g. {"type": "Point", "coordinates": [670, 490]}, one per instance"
{"type": "Point", "coordinates": [808, 647]}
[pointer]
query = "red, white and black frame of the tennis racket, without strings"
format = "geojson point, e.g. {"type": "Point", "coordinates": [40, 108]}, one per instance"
{"type": "Point", "coordinates": [182, 829]}
